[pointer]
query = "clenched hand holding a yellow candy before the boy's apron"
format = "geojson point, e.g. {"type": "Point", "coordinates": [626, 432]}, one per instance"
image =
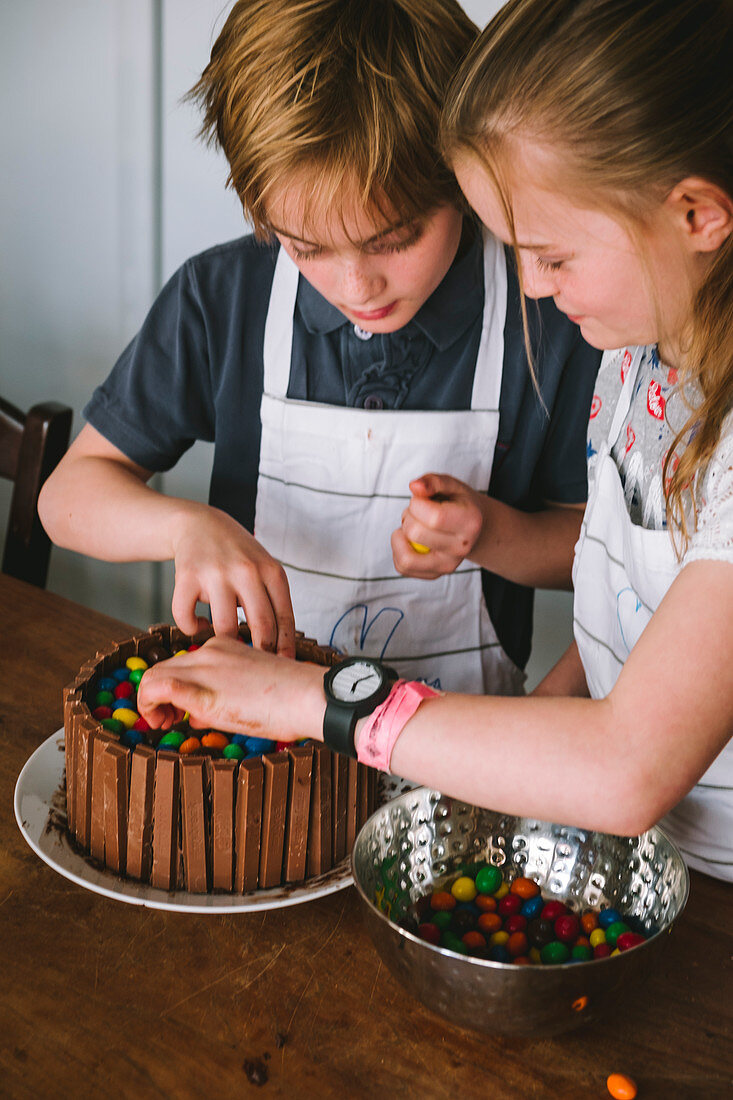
{"type": "Point", "coordinates": [445, 519]}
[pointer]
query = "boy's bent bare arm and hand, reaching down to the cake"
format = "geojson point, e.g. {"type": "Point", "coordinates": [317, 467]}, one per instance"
{"type": "Point", "coordinates": [97, 502]}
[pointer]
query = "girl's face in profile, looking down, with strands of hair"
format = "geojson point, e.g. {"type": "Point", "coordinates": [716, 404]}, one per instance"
{"type": "Point", "coordinates": [585, 260]}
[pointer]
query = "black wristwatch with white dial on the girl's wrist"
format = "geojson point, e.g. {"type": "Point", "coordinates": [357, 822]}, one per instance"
{"type": "Point", "coordinates": [354, 689]}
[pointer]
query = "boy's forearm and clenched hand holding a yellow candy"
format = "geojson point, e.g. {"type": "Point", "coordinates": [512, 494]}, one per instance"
{"type": "Point", "coordinates": [456, 523]}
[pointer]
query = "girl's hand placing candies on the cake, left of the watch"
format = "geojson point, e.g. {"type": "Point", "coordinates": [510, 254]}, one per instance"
{"type": "Point", "coordinates": [231, 687]}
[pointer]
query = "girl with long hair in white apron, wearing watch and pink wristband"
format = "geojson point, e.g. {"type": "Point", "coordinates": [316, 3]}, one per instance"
{"type": "Point", "coordinates": [595, 137]}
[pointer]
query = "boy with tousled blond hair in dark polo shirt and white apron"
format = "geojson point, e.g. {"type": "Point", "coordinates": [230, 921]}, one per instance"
{"type": "Point", "coordinates": [381, 339]}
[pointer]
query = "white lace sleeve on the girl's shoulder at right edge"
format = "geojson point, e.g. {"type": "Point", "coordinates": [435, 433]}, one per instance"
{"type": "Point", "coordinates": [714, 538]}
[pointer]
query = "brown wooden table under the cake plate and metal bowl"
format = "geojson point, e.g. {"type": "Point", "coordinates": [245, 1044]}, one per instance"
{"type": "Point", "coordinates": [102, 998]}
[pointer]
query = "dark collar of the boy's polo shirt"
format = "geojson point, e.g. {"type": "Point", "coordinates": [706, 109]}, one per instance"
{"type": "Point", "coordinates": [446, 315]}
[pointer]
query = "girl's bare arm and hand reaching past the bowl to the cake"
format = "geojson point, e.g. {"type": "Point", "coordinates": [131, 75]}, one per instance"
{"type": "Point", "coordinates": [616, 765]}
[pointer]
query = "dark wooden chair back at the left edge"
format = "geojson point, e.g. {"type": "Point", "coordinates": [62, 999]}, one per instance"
{"type": "Point", "coordinates": [31, 445]}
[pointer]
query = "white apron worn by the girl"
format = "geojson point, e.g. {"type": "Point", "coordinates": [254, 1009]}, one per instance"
{"type": "Point", "coordinates": [621, 574]}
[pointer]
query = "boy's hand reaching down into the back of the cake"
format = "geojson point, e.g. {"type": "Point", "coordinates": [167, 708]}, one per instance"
{"type": "Point", "coordinates": [221, 564]}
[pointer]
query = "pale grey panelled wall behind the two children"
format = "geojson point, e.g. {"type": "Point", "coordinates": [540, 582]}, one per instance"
{"type": "Point", "coordinates": [105, 192]}
